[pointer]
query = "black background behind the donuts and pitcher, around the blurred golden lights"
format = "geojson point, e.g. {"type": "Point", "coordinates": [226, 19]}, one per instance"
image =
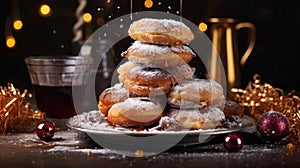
{"type": "Point", "coordinates": [275, 56]}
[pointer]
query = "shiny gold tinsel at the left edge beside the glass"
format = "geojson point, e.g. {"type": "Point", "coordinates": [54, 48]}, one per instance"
{"type": "Point", "coordinates": [16, 114]}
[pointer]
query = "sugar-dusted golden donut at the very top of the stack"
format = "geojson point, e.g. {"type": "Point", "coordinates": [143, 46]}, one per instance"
{"type": "Point", "coordinates": [160, 31]}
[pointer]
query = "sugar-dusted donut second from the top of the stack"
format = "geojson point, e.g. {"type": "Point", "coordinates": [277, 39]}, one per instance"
{"type": "Point", "coordinates": [151, 55]}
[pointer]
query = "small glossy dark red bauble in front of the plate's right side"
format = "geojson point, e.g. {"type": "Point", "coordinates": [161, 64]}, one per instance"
{"type": "Point", "coordinates": [233, 142]}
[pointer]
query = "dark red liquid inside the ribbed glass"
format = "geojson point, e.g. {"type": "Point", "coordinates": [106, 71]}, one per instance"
{"type": "Point", "coordinates": [57, 101]}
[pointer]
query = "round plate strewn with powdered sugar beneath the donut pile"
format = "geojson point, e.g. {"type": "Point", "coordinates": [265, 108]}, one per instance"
{"type": "Point", "coordinates": [102, 131]}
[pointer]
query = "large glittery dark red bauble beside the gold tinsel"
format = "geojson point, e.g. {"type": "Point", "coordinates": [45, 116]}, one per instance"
{"type": "Point", "coordinates": [273, 126]}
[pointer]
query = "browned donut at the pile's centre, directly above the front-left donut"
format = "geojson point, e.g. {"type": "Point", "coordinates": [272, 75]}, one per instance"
{"type": "Point", "coordinates": [148, 81]}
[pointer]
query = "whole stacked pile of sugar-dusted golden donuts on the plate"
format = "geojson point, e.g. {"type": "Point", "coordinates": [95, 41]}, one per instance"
{"type": "Point", "coordinates": [156, 84]}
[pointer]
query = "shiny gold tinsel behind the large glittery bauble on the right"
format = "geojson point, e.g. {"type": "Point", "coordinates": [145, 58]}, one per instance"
{"type": "Point", "coordinates": [260, 97]}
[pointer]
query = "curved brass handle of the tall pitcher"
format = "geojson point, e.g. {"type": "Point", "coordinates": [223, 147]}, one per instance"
{"type": "Point", "coordinates": [252, 37]}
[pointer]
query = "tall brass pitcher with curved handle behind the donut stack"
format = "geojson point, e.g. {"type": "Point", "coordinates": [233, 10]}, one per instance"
{"type": "Point", "coordinates": [223, 34]}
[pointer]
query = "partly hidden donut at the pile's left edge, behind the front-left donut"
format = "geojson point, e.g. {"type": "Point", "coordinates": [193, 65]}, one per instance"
{"type": "Point", "coordinates": [110, 96]}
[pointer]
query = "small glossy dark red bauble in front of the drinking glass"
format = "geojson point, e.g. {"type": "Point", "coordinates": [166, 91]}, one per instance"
{"type": "Point", "coordinates": [45, 130]}
